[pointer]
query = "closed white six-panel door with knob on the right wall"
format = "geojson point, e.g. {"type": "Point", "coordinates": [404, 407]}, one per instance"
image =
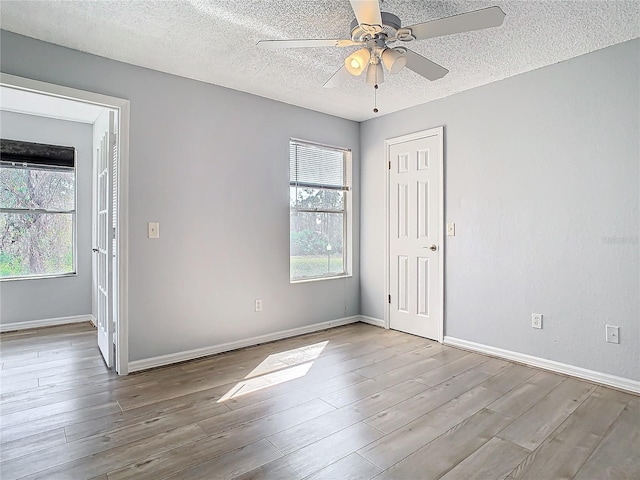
{"type": "Point", "coordinates": [416, 233]}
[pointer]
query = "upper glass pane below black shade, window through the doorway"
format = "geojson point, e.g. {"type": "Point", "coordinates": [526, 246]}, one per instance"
{"type": "Point", "coordinates": [37, 188]}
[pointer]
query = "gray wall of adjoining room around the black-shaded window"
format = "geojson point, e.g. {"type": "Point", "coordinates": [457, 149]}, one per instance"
{"type": "Point", "coordinates": [25, 300]}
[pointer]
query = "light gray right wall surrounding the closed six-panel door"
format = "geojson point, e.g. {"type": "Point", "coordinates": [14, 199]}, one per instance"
{"type": "Point", "coordinates": [542, 181]}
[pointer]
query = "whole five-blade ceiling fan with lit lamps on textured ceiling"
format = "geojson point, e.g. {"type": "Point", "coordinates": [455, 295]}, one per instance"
{"type": "Point", "coordinates": [373, 31]}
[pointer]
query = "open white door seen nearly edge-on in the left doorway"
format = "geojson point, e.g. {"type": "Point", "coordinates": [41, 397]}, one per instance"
{"type": "Point", "coordinates": [105, 154]}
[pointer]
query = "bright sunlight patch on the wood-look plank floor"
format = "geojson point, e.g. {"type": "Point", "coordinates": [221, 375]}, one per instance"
{"type": "Point", "coordinates": [277, 368]}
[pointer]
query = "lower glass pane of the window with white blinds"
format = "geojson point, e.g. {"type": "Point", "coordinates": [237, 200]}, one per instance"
{"type": "Point", "coordinates": [316, 244]}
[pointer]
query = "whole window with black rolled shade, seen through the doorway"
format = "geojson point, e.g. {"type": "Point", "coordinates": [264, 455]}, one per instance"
{"type": "Point", "coordinates": [37, 210]}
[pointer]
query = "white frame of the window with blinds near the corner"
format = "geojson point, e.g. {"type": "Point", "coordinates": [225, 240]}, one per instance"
{"type": "Point", "coordinates": [347, 215]}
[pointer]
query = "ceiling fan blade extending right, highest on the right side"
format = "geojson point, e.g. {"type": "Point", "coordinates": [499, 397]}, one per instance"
{"type": "Point", "coordinates": [465, 22]}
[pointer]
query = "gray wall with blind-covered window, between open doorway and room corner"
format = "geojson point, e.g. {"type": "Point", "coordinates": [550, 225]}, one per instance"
{"type": "Point", "coordinates": [211, 165]}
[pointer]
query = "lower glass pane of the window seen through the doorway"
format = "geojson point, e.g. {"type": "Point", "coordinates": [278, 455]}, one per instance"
{"type": "Point", "coordinates": [36, 244]}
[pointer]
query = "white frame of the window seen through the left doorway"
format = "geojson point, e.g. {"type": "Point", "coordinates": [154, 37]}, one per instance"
{"type": "Point", "coordinates": [27, 211]}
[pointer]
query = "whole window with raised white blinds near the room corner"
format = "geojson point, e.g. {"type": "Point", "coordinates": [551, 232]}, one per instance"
{"type": "Point", "coordinates": [319, 210]}
